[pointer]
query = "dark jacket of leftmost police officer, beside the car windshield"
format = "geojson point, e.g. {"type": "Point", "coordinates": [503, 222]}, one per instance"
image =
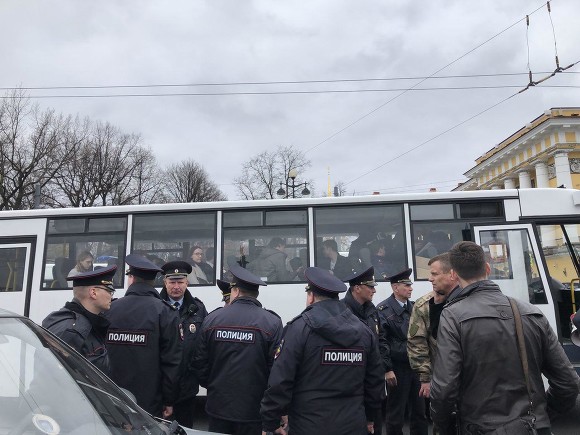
{"type": "Point", "coordinates": [84, 331]}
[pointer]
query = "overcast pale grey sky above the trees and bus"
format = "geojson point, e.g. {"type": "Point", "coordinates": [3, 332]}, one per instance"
{"type": "Point", "coordinates": [140, 42]}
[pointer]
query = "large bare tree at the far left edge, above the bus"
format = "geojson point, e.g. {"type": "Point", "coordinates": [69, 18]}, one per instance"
{"type": "Point", "coordinates": [33, 145]}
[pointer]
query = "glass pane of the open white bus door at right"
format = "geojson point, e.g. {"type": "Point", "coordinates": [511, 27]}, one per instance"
{"type": "Point", "coordinates": [513, 263]}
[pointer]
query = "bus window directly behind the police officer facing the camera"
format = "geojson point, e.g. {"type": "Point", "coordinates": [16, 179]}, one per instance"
{"type": "Point", "coordinates": [164, 237]}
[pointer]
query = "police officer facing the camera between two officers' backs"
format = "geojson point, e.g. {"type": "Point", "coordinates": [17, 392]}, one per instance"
{"type": "Point", "coordinates": [191, 314]}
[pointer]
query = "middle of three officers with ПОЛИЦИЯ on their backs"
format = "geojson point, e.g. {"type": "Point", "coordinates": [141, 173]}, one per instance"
{"type": "Point", "coordinates": [235, 356]}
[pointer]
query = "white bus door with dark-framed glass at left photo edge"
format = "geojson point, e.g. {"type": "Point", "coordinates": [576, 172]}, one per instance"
{"type": "Point", "coordinates": [16, 260]}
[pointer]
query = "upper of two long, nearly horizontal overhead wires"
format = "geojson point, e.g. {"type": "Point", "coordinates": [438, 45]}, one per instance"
{"type": "Point", "coordinates": [268, 83]}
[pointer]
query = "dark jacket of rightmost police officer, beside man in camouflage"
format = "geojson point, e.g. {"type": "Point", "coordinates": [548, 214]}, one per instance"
{"type": "Point", "coordinates": [394, 321]}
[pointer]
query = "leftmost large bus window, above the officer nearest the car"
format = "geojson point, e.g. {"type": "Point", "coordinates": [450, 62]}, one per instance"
{"type": "Point", "coordinates": [76, 245]}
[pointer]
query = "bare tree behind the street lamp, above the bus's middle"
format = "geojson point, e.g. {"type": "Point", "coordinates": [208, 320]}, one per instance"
{"type": "Point", "coordinates": [262, 175]}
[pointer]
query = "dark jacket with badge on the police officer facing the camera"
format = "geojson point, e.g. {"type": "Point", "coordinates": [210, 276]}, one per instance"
{"type": "Point", "coordinates": [191, 315]}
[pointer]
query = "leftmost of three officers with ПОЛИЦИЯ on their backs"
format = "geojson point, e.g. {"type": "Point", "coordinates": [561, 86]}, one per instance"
{"type": "Point", "coordinates": [143, 340]}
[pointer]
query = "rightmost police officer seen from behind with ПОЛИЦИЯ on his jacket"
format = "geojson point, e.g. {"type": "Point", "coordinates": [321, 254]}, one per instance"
{"type": "Point", "coordinates": [327, 375]}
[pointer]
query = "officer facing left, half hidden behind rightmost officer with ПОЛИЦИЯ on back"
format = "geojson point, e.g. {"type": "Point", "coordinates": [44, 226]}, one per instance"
{"type": "Point", "coordinates": [359, 298]}
